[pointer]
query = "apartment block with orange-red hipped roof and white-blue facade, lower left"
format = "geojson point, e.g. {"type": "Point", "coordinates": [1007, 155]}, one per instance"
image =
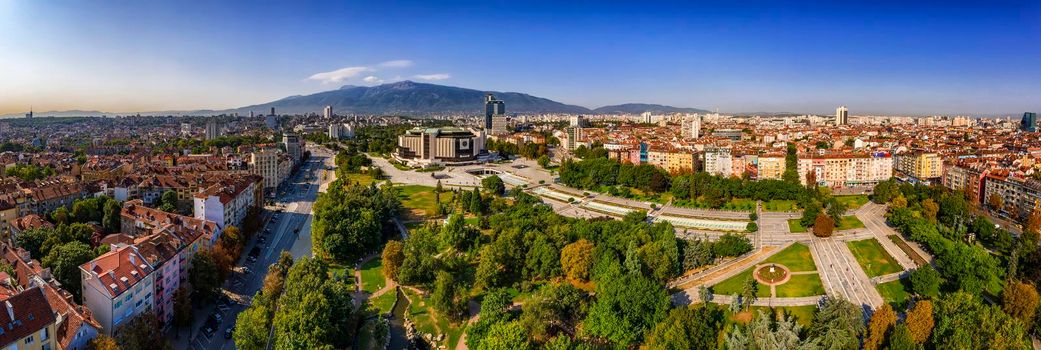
{"type": "Point", "coordinates": [117, 287]}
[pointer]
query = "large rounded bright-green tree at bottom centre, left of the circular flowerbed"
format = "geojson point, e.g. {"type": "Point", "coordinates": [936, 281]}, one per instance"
{"type": "Point", "coordinates": [627, 309]}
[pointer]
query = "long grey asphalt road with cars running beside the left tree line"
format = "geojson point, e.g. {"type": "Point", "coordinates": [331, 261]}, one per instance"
{"type": "Point", "coordinates": [284, 234]}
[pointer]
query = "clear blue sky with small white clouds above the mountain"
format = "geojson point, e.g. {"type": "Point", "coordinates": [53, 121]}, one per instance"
{"type": "Point", "coordinates": [877, 57]}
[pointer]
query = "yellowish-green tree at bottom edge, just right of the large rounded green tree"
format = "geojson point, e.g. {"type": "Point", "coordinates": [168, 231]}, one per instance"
{"type": "Point", "coordinates": [688, 329]}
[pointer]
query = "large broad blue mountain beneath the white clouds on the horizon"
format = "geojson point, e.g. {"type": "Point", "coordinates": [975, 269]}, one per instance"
{"type": "Point", "coordinates": [409, 98]}
